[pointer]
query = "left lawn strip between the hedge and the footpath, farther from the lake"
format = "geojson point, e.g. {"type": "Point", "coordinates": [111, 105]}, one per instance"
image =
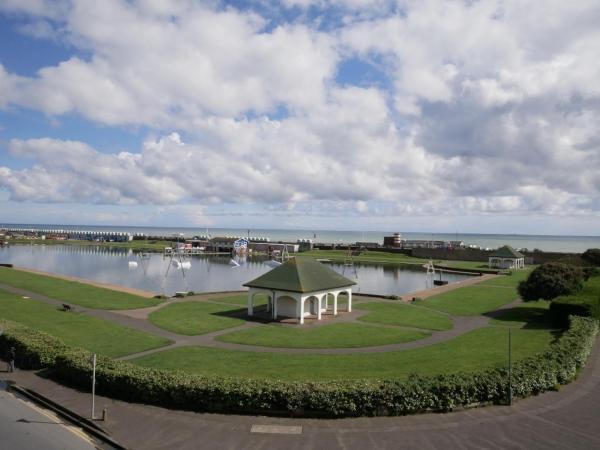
{"type": "Point", "coordinates": [77, 329]}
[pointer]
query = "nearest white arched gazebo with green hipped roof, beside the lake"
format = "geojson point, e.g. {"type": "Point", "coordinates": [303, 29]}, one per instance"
{"type": "Point", "coordinates": [298, 288]}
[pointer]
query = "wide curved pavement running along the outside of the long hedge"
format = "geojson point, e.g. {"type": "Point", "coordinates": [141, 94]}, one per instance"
{"type": "Point", "coordinates": [568, 419]}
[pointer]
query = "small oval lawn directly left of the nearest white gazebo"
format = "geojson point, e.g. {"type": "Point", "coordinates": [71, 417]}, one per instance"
{"type": "Point", "coordinates": [193, 318]}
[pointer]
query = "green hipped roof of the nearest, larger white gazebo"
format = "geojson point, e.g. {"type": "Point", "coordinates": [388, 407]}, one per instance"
{"type": "Point", "coordinates": [301, 275]}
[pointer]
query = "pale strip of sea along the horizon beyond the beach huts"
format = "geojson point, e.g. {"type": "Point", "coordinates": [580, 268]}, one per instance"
{"type": "Point", "coordinates": [548, 243]}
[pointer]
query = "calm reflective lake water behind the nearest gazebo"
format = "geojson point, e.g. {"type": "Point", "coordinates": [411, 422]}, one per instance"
{"type": "Point", "coordinates": [207, 273]}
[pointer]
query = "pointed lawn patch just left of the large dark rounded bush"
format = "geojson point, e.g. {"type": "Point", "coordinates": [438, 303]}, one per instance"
{"type": "Point", "coordinates": [471, 300]}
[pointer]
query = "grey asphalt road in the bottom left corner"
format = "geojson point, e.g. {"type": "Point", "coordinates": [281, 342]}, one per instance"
{"type": "Point", "coordinates": [24, 426]}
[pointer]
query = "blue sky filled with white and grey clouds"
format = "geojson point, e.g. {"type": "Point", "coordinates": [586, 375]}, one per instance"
{"type": "Point", "coordinates": [401, 115]}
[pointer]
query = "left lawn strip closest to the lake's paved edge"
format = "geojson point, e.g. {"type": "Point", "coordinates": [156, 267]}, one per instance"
{"type": "Point", "coordinates": [73, 292]}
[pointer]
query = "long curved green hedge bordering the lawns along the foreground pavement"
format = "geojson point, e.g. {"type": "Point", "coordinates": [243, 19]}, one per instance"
{"type": "Point", "coordinates": [558, 365]}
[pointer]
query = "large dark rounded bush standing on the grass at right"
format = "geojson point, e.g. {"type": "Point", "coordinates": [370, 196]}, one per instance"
{"type": "Point", "coordinates": [551, 280]}
